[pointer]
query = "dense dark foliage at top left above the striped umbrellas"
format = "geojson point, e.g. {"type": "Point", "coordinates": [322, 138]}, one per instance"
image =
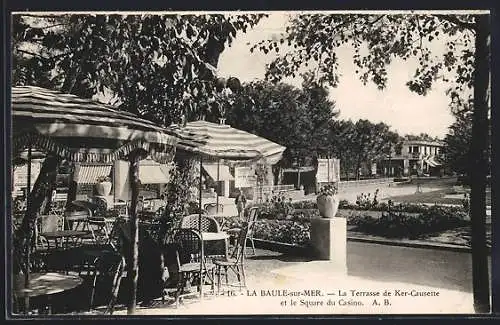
{"type": "Point", "coordinates": [161, 67]}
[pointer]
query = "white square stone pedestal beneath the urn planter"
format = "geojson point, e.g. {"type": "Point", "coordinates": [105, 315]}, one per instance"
{"type": "Point", "coordinates": [329, 241]}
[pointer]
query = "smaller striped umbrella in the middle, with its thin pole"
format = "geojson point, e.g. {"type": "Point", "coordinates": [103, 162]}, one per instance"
{"type": "Point", "coordinates": [223, 142]}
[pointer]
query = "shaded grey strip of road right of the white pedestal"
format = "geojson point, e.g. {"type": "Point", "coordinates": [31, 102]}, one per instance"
{"type": "Point", "coordinates": [437, 268]}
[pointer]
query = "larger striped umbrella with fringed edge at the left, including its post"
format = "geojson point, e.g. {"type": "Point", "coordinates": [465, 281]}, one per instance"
{"type": "Point", "coordinates": [83, 130]}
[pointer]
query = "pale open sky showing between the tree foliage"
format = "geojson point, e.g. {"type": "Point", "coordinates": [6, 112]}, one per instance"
{"type": "Point", "coordinates": [404, 111]}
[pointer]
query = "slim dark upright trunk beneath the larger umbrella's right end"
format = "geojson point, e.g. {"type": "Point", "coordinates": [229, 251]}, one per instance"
{"type": "Point", "coordinates": [134, 229]}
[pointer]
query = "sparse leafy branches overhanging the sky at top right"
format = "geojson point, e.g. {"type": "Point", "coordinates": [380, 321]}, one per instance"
{"type": "Point", "coordinates": [377, 40]}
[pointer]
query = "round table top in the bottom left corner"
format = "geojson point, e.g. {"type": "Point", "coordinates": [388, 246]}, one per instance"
{"type": "Point", "coordinates": [45, 284]}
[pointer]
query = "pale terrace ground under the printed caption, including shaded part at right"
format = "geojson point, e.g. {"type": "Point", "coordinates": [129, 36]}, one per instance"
{"type": "Point", "coordinates": [444, 276]}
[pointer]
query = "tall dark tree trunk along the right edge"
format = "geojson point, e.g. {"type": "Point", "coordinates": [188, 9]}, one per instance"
{"type": "Point", "coordinates": [478, 161]}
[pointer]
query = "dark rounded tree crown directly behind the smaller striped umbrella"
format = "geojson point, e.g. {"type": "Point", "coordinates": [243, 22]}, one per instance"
{"type": "Point", "coordinates": [295, 118]}
